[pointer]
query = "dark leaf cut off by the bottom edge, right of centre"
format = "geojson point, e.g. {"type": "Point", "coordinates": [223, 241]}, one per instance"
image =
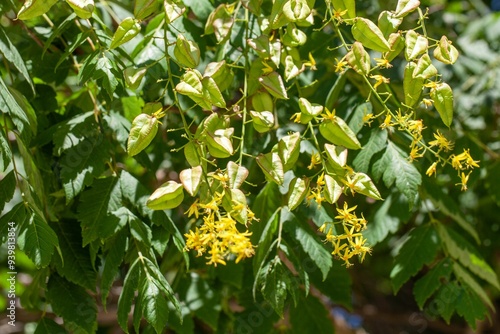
{"type": "Point", "coordinates": [310, 316]}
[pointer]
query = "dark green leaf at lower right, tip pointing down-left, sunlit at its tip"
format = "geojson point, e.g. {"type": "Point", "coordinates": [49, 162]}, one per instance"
{"type": "Point", "coordinates": [419, 248]}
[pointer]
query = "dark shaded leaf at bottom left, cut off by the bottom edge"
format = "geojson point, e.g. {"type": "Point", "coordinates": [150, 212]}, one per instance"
{"type": "Point", "coordinates": [72, 303]}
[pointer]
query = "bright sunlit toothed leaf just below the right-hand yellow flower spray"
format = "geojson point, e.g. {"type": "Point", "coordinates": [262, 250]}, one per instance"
{"type": "Point", "coordinates": [395, 167]}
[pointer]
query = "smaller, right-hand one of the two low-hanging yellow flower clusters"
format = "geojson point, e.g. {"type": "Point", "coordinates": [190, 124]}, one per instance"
{"type": "Point", "coordinates": [350, 241]}
